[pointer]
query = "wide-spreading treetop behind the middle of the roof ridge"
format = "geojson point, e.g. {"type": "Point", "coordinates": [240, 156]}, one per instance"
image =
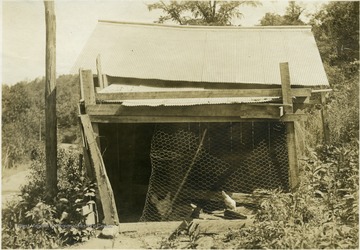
{"type": "Point", "coordinates": [201, 12]}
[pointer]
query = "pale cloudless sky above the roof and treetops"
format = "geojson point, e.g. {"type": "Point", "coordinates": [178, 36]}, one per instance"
{"type": "Point", "coordinates": [23, 29]}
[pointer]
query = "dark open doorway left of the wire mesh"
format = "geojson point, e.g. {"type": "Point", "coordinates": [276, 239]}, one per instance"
{"type": "Point", "coordinates": [126, 153]}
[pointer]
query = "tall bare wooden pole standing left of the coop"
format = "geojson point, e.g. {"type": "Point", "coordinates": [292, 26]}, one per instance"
{"type": "Point", "coordinates": [50, 100]}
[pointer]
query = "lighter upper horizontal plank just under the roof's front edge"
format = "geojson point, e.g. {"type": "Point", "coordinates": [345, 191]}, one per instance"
{"type": "Point", "coordinates": [213, 93]}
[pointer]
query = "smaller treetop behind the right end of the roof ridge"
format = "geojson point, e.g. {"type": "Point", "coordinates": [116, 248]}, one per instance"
{"type": "Point", "coordinates": [292, 16]}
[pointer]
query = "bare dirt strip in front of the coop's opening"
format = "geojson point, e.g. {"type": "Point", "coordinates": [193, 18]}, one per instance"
{"type": "Point", "coordinates": [200, 234]}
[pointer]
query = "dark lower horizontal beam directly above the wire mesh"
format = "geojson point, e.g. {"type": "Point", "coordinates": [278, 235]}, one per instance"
{"type": "Point", "coordinates": [114, 113]}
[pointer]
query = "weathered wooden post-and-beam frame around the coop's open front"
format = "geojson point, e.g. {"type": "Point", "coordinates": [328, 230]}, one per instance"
{"type": "Point", "coordinates": [100, 108]}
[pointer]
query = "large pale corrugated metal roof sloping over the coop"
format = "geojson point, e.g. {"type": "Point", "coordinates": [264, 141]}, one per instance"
{"type": "Point", "coordinates": [204, 54]}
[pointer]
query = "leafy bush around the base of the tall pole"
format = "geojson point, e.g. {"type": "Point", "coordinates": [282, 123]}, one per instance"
{"type": "Point", "coordinates": [35, 222]}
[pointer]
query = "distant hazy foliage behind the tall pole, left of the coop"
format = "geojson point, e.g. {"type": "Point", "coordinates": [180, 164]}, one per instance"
{"type": "Point", "coordinates": [23, 127]}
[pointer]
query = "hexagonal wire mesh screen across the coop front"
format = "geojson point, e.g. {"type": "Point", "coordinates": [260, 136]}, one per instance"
{"type": "Point", "coordinates": [192, 163]}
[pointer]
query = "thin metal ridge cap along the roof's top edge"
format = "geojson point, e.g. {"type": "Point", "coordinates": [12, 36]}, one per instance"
{"type": "Point", "coordinates": [285, 27]}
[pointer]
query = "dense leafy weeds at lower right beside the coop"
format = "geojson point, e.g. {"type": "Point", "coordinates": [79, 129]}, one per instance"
{"type": "Point", "coordinates": [321, 213]}
